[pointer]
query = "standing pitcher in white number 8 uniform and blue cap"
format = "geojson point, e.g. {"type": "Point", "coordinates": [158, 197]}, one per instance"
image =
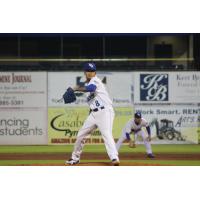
{"type": "Point", "coordinates": [101, 116]}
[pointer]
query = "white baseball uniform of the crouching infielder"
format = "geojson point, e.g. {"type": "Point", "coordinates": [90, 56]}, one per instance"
{"type": "Point", "coordinates": [131, 126]}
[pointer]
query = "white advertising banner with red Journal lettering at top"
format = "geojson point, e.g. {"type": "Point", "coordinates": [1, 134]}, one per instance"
{"type": "Point", "coordinates": [23, 89]}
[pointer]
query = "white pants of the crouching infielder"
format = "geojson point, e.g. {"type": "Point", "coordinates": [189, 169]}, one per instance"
{"type": "Point", "coordinates": [142, 134]}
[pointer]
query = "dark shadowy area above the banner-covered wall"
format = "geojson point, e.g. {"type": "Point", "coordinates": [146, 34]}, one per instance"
{"type": "Point", "coordinates": [48, 46]}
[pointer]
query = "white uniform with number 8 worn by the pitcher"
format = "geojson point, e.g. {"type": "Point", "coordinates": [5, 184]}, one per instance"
{"type": "Point", "coordinates": [101, 116]}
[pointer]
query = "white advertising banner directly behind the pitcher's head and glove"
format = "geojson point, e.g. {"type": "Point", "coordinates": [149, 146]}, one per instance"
{"type": "Point", "coordinates": [118, 84]}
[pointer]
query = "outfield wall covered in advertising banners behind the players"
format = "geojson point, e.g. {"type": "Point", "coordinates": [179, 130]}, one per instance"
{"type": "Point", "coordinates": [32, 110]}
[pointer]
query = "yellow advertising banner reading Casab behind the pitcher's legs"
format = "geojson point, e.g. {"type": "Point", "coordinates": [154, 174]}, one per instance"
{"type": "Point", "coordinates": [65, 122]}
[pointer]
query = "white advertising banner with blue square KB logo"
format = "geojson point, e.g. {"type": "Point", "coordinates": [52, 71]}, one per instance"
{"type": "Point", "coordinates": [166, 87]}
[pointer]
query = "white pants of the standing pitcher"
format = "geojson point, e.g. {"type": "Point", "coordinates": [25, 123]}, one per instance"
{"type": "Point", "coordinates": [102, 119]}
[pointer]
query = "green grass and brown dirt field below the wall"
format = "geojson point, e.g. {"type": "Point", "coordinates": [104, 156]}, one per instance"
{"type": "Point", "coordinates": [178, 155]}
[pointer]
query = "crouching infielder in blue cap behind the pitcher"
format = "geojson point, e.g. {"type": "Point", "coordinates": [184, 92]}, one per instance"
{"type": "Point", "coordinates": [135, 126]}
